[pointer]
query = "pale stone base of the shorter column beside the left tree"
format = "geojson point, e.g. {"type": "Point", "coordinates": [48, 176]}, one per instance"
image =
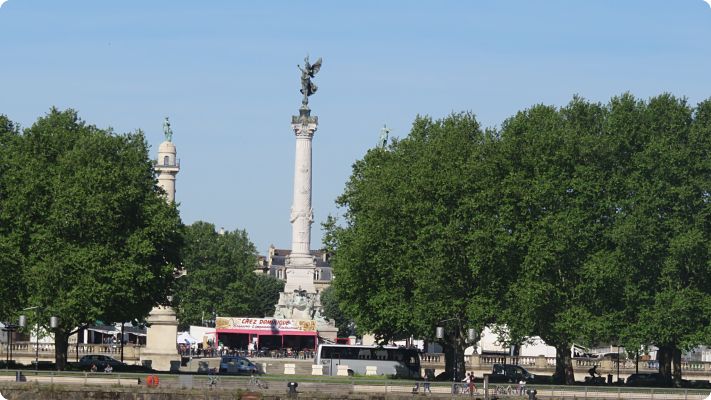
{"type": "Point", "coordinates": [161, 346]}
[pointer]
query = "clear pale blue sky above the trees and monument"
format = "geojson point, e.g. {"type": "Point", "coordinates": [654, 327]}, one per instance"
{"type": "Point", "coordinates": [225, 73]}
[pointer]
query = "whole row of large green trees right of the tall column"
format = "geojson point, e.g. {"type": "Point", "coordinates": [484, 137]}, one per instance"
{"type": "Point", "coordinates": [583, 223]}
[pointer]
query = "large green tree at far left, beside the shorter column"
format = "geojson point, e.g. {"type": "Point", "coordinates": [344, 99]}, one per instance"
{"type": "Point", "coordinates": [94, 236]}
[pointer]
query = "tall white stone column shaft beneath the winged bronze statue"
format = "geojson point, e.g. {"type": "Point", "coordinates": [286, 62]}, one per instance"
{"type": "Point", "coordinates": [300, 263]}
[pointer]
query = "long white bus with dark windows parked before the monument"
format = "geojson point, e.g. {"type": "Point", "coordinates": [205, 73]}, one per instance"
{"type": "Point", "coordinates": [389, 360]}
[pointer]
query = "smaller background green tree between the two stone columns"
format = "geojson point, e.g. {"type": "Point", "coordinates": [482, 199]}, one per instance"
{"type": "Point", "coordinates": [220, 277]}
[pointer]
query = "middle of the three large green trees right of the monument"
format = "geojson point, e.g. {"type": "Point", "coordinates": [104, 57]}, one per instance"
{"type": "Point", "coordinates": [557, 203]}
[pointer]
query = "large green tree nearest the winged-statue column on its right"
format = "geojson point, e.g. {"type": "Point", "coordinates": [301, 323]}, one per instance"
{"type": "Point", "coordinates": [408, 254]}
